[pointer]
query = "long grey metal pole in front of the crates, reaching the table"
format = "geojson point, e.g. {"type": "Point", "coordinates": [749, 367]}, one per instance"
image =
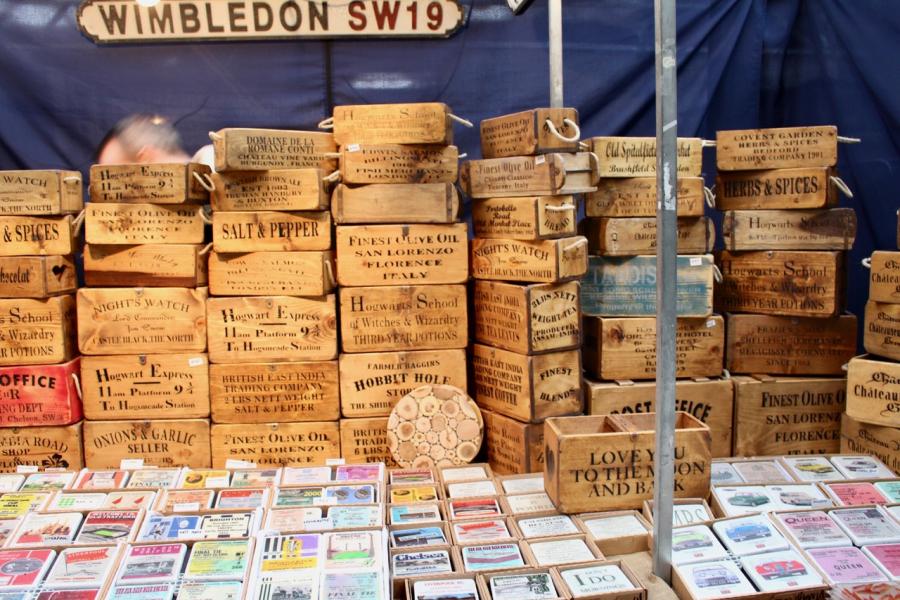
{"type": "Point", "coordinates": [666, 264]}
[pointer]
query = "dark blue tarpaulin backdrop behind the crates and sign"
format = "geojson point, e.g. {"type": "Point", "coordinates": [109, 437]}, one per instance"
{"type": "Point", "coordinates": [742, 64]}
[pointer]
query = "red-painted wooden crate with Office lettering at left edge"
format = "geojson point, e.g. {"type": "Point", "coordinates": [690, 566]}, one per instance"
{"type": "Point", "coordinates": [40, 395]}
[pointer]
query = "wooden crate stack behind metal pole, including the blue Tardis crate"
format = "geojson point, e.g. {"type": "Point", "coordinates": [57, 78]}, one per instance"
{"type": "Point", "coordinates": [619, 294]}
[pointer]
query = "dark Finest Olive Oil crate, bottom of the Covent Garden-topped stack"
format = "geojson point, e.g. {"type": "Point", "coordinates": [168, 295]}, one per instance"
{"type": "Point", "coordinates": [787, 415]}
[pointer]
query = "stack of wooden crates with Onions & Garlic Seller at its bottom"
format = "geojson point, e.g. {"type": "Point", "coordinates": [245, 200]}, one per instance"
{"type": "Point", "coordinates": [142, 318]}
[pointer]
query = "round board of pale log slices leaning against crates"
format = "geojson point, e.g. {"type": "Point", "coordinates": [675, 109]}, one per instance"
{"type": "Point", "coordinates": [435, 425]}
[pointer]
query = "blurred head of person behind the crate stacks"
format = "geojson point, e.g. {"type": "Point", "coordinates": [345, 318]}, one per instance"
{"type": "Point", "coordinates": [141, 138]}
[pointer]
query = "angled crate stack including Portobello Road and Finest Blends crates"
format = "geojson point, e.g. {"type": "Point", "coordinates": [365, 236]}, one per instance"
{"type": "Point", "coordinates": [526, 261]}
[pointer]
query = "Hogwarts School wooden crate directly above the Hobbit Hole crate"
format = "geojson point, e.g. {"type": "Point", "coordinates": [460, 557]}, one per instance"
{"type": "Point", "coordinates": [409, 317]}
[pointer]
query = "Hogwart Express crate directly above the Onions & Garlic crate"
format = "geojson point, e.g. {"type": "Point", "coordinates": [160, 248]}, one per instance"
{"type": "Point", "coordinates": [154, 386]}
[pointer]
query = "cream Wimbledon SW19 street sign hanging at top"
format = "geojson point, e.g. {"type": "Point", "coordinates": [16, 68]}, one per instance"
{"type": "Point", "coordinates": [126, 21]}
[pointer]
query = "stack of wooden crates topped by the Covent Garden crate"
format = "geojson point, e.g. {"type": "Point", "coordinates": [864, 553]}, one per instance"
{"type": "Point", "coordinates": [783, 287]}
